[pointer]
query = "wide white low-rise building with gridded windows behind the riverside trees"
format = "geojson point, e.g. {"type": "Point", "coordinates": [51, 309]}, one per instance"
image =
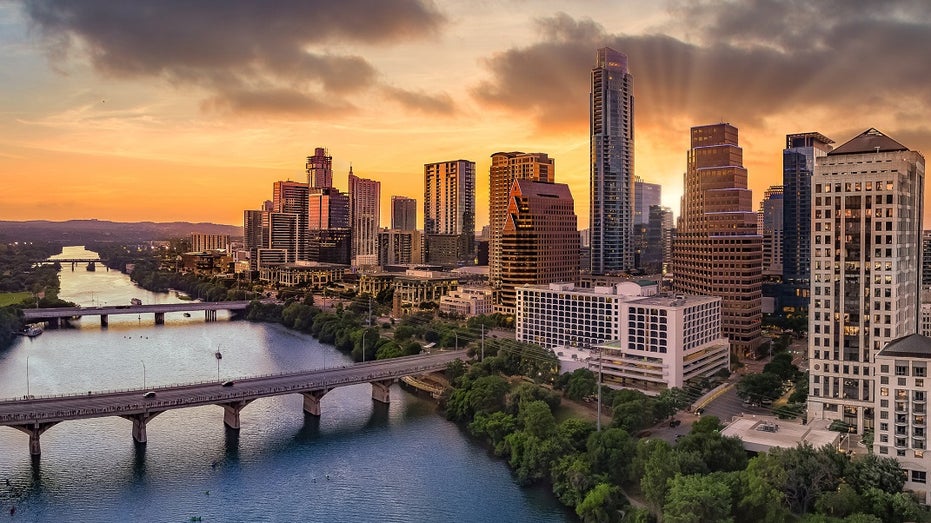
{"type": "Point", "coordinates": [649, 341]}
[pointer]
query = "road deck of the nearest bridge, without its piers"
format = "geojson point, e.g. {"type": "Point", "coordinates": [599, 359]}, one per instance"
{"type": "Point", "coordinates": [53, 409]}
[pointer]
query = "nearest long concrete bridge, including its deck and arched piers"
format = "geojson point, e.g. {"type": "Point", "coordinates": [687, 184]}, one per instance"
{"type": "Point", "coordinates": [36, 415]}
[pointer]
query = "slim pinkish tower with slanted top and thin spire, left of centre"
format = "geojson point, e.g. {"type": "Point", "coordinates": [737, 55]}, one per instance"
{"type": "Point", "coordinates": [365, 218]}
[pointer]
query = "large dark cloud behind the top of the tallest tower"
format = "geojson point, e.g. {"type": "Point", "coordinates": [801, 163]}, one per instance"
{"type": "Point", "coordinates": [742, 61]}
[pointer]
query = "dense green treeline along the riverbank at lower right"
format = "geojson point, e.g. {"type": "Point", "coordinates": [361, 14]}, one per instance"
{"type": "Point", "coordinates": [703, 477]}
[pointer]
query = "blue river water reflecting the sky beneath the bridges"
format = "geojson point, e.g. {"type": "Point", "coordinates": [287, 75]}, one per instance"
{"type": "Point", "coordinates": [360, 461]}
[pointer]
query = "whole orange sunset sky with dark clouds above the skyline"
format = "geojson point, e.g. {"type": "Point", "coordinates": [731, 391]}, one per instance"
{"type": "Point", "coordinates": [180, 110]}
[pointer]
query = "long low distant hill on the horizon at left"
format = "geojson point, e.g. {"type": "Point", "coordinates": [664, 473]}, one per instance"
{"type": "Point", "coordinates": [77, 232]}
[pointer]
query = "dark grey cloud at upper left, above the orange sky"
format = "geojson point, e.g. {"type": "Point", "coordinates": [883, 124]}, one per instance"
{"type": "Point", "coordinates": [240, 49]}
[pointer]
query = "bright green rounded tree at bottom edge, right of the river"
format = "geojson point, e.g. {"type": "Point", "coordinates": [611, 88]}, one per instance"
{"type": "Point", "coordinates": [697, 499]}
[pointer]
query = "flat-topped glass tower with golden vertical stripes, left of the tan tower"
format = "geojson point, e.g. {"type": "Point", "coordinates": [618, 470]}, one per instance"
{"type": "Point", "coordinates": [449, 203]}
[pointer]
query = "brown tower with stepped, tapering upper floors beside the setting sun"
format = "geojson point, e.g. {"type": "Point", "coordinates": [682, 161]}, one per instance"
{"type": "Point", "coordinates": [717, 250]}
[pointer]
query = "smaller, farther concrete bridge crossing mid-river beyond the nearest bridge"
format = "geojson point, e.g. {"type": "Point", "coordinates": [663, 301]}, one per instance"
{"type": "Point", "coordinates": [54, 315]}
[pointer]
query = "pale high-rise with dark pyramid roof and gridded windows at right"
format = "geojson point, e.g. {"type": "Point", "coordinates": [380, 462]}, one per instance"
{"type": "Point", "coordinates": [867, 208]}
